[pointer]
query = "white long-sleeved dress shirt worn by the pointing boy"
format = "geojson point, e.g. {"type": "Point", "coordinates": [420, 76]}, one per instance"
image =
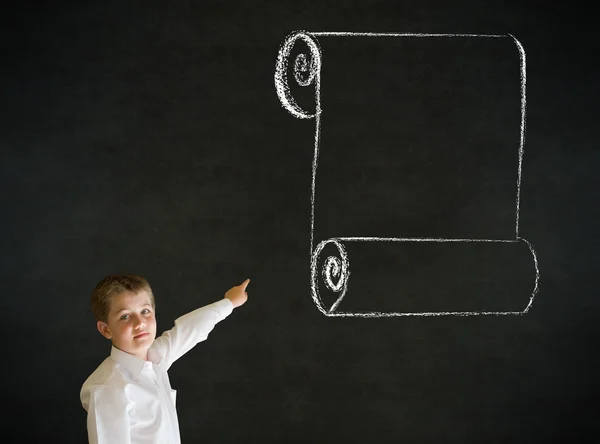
{"type": "Point", "coordinates": [129, 400]}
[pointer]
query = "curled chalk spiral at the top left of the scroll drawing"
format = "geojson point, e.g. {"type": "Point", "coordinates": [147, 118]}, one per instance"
{"type": "Point", "coordinates": [307, 68]}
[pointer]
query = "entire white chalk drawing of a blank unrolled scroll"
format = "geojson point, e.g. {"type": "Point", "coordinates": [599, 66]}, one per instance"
{"type": "Point", "coordinates": [456, 116]}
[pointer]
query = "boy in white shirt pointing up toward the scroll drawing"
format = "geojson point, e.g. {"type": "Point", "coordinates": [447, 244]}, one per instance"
{"type": "Point", "coordinates": [128, 398]}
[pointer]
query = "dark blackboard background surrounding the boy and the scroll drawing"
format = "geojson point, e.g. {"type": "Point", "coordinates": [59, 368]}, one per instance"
{"type": "Point", "coordinates": [146, 137]}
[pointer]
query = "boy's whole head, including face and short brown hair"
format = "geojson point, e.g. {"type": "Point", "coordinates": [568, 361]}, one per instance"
{"type": "Point", "coordinates": [124, 309]}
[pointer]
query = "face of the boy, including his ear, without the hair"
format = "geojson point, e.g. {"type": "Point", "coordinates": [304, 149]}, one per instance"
{"type": "Point", "coordinates": [131, 323]}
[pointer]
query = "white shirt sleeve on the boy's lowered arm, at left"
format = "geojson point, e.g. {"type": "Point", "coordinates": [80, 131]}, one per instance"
{"type": "Point", "coordinates": [108, 420]}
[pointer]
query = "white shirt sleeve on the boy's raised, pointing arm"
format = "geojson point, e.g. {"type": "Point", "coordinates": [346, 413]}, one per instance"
{"type": "Point", "coordinates": [190, 329]}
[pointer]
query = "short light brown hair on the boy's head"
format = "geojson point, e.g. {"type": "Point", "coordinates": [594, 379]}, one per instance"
{"type": "Point", "coordinates": [113, 285]}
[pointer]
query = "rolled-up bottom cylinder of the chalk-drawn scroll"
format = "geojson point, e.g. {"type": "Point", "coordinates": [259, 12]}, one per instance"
{"type": "Point", "coordinates": [418, 277]}
